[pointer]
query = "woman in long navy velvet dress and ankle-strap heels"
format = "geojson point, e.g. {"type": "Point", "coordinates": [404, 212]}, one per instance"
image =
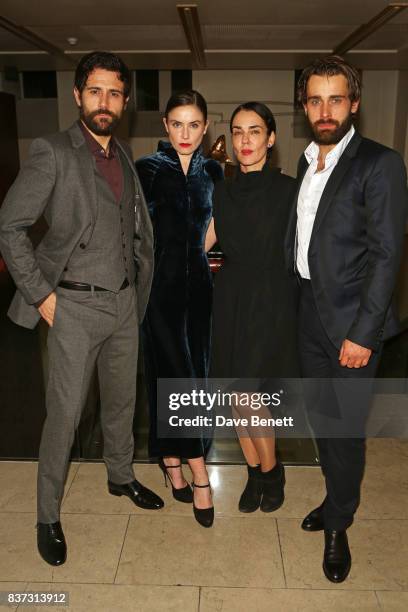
{"type": "Point", "coordinates": [178, 183]}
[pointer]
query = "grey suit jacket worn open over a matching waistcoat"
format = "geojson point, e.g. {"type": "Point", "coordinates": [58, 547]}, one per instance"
{"type": "Point", "coordinates": [58, 181]}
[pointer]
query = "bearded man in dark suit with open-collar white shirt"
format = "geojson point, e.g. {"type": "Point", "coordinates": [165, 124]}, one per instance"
{"type": "Point", "coordinates": [344, 243]}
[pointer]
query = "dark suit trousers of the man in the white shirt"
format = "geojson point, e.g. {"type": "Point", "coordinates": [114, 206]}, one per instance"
{"type": "Point", "coordinates": [337, 405]}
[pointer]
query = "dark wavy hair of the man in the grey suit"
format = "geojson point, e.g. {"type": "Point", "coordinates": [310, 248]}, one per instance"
{"type": "Point", "coordinates": [105, 60]}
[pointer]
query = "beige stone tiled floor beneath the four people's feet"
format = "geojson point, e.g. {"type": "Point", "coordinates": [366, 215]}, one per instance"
{"type": "Point", "coordinates": [122, 558]}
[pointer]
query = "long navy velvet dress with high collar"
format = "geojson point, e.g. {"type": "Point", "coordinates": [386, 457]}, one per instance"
{"type": "Point", "coordinates": [176, 329]}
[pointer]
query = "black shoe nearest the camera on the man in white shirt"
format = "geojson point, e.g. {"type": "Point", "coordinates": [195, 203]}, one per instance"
{"type": "Point", "coordinates": [337, 558]}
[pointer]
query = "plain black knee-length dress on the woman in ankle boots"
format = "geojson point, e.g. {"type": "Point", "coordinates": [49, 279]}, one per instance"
{"type": "Point", "coordinates": [254, 308]}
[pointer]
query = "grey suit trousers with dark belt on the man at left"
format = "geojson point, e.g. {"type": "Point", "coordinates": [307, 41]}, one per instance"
{"type": "Point", "coordinates": [90, 328]}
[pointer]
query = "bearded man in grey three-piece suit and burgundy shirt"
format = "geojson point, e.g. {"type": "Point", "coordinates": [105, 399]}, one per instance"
{"type": "Point", "coordinates": [89, 279]}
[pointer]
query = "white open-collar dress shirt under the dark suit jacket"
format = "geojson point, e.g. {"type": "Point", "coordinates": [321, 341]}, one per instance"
{"type": "Point", "coordinates": [310, 193]}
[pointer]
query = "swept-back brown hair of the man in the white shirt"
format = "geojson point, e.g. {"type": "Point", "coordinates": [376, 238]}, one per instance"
{"type": "Point", "coordinates": [331, 65]}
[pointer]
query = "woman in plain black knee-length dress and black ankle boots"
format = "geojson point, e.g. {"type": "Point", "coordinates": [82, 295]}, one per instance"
{"type": "Point", "coordinates": [254, 303]}
